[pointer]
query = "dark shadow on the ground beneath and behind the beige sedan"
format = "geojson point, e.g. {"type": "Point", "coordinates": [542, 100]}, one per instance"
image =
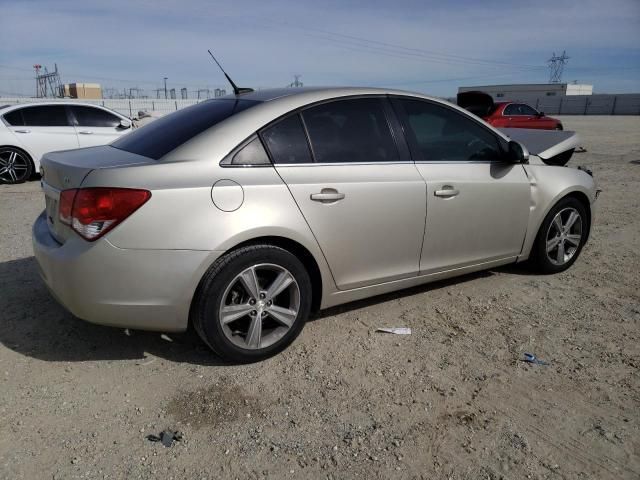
{"type": "Point", "coordinates": [35, 325]}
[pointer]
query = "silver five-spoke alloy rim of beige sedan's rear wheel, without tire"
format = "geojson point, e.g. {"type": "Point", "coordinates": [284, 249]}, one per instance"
{"type": "Point", "coordinates": [259, 306]}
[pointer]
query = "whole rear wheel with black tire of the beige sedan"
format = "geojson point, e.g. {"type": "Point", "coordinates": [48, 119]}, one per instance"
{"type": "Point", "coordinates": [252, 303]}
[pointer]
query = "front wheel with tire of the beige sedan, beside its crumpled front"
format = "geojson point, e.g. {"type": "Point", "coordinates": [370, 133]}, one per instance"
{"type": "Point", "coordinates": [561, 236]}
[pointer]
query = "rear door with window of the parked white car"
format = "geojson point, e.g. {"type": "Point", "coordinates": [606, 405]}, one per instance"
{"type": "Point", "coordinates": [43, 128]}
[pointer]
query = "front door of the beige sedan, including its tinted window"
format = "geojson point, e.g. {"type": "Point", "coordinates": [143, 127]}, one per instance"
{"type": "Point", "coordinates": [477, 203]}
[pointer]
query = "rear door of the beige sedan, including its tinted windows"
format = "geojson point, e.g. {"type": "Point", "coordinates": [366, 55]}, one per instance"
{"type": "Point", "coordinates": [363, 200]}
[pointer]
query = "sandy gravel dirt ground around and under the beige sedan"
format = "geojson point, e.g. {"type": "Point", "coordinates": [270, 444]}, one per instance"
{"type": "Point", "coordinates": [450, 401]}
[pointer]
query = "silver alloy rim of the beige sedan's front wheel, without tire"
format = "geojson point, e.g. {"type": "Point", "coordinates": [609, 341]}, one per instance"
{"type": "Point", "coordinates": [564, 236]}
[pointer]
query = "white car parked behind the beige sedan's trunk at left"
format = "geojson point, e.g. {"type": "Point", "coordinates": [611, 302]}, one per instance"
{"type": "Point", "coordinates": [29, 130]}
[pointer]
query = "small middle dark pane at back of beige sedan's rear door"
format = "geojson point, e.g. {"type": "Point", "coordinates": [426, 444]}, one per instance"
{"type": "Point", "coordinates": [287, 142]}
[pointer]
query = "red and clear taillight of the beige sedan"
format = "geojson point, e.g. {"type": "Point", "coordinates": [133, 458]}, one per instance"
{"type": "Point", "coordinates": [92, 212]}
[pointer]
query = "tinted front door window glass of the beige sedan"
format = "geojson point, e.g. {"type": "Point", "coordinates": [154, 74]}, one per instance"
{"type": "Point", "coordinates": [438, 133]}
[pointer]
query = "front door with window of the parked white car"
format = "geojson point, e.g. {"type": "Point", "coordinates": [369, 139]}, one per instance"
{"type": "Point", "coordinates": [96, 126]}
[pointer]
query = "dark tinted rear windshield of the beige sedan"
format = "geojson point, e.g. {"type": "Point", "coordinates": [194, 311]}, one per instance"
{"type": "Point", "coordinates": [162, 136]}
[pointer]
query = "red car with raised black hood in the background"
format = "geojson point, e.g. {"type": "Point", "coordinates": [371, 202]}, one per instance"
{"type": "Point", "coordinates": [506, 114]}
